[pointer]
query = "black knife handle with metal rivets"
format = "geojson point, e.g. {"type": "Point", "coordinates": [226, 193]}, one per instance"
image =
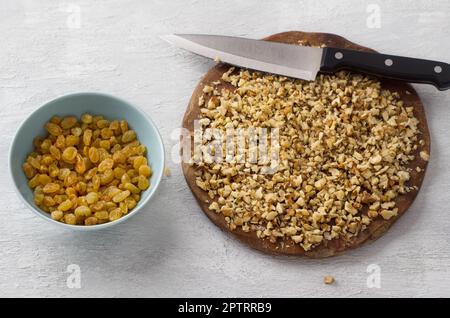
{"type": "Point", "coordinates": [391, 66]}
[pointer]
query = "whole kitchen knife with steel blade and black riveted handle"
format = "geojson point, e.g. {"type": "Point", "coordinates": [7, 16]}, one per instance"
{"type": "Point", "coordinates": [305, 62]}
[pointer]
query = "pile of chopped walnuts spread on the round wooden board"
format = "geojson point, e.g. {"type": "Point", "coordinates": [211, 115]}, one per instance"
{"type": "Point", "coordinates": [344, 148]}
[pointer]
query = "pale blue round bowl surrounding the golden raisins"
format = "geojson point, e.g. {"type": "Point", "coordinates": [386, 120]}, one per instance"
{"type": "Point", "coordinates": [77, 104]}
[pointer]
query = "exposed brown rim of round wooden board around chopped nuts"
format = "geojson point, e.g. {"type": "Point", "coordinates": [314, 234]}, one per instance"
{"type": "Point", "coordinates": [327, 248]}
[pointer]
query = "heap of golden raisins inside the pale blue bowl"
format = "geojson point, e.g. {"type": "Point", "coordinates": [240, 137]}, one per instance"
{"type": "Point", "coordinates": [82, 173]}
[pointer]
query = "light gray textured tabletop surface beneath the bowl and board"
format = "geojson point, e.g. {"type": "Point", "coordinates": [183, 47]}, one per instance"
{"type": "Point", "coordinates": [171, 249]}
